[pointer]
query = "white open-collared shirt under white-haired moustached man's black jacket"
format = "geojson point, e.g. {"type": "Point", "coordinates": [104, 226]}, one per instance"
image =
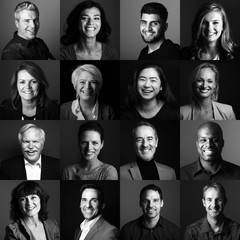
{"type": "Point", "coordinates": [33, 171]}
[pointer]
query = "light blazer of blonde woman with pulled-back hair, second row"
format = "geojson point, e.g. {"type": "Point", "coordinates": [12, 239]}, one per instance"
{"type": "Point", "coordinates": [220, 111]}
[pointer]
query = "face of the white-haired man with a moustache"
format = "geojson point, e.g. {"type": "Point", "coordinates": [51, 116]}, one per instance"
{"type": "Point", "coordinates": [32, 145]}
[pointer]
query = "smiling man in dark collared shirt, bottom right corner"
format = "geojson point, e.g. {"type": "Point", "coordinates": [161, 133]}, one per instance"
{"type": "Point", "coordinates": [215, 225]}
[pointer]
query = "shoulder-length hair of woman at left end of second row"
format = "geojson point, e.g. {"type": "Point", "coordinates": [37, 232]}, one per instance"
{"type": "Point", "coordinates": [36, 72]}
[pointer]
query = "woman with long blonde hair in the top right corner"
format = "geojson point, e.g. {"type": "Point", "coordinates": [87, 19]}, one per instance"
{"type": "Point", "coordinates": [211, 38]}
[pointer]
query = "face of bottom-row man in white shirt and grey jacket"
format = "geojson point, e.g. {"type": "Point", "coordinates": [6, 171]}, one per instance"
{"type": "Point", "coordinates": [90, 205]}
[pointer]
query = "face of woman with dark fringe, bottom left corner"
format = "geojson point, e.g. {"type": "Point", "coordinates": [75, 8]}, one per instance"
{"type": "Point", "coordinates": [30, 205]}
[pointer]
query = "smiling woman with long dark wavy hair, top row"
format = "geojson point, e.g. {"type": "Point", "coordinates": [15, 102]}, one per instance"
{"type": "Point", "coordinates": [87, 34]}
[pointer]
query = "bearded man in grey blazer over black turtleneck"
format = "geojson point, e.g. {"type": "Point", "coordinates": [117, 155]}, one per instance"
{"type": "Point", "coordinates": [145, 140]}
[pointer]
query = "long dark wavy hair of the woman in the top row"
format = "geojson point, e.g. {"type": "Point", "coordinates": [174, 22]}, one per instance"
{"type": "Point", "coordinates": [72, 34]}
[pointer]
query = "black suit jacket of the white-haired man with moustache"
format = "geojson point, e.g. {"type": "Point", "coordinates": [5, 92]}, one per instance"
{"type": "Point", "coordinates": [14, 169]}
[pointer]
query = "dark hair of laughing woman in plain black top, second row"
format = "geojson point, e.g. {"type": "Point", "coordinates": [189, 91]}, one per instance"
{"type": "Point", "coordinates": [134, 99]}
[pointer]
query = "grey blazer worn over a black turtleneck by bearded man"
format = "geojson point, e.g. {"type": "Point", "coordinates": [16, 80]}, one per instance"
{"type": "Point", "coordinates": [131, 171]}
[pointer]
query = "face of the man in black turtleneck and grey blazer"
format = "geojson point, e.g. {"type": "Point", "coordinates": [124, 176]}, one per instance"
{"type": "Point", "coordinates": [145, 143]}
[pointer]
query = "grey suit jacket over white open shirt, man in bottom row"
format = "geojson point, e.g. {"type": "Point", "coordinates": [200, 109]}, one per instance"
{"type": "Point", "coordinates": [101, 230]}
